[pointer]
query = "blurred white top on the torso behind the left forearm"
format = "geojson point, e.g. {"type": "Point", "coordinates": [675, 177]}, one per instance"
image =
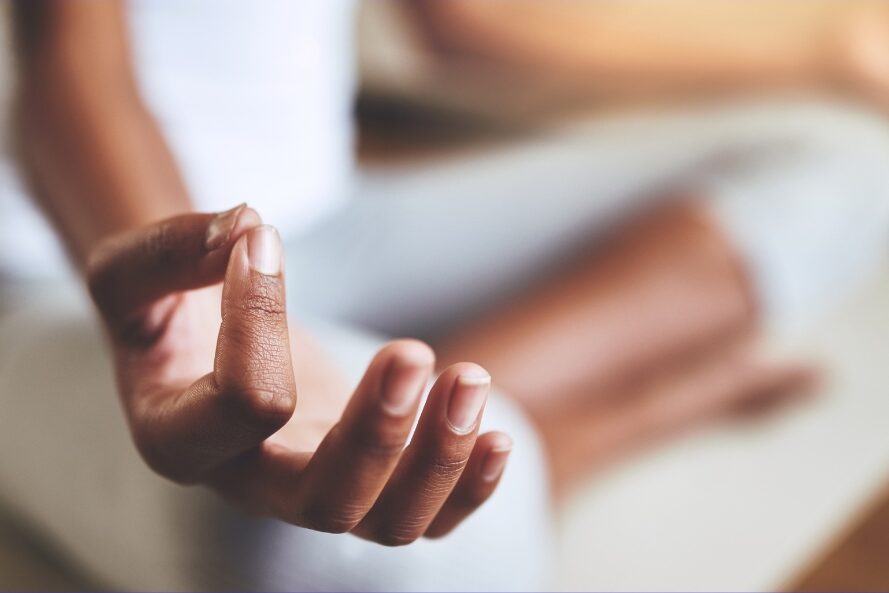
{"type": "Point", "coordinates": [254, 99]}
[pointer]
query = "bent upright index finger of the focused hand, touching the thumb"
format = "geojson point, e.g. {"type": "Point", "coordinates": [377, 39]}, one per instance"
{"type": "Point", "coordinates": [250, 393]}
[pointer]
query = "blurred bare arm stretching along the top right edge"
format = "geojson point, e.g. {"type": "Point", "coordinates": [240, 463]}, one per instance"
{"type": "Point", "coordinates": [635, 47]}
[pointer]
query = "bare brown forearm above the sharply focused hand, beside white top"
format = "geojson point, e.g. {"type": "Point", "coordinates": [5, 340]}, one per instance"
{"type": "Point", "coordinates": [93, 154]}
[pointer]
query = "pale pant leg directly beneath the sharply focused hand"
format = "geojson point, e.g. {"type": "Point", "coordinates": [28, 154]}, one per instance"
{"type": "Point", "coordinates": [69, 470]}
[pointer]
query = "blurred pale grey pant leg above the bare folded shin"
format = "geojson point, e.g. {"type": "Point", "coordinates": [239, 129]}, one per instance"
{"type": "Point", "coordinates": [420, 248]}
